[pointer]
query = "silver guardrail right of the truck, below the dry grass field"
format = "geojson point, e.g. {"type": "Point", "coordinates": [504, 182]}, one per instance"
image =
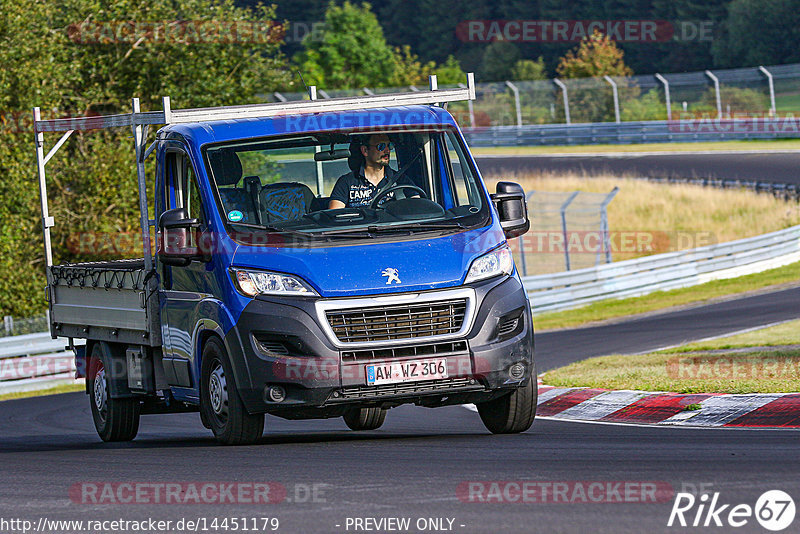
{"type": "Point", "coordinates": [631, 278]}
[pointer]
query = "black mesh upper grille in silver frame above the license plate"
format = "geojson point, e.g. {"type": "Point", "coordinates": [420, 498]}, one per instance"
{"type": "Point", "coordinates": [406, 321]}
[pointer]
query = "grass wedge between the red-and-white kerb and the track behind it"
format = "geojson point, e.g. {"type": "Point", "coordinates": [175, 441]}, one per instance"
{"type": "Point", "coordinates": [691, 369]}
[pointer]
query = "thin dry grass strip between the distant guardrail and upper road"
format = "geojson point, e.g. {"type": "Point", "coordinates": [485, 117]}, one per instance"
{"type": "Point", "coordinates": [781, 144]}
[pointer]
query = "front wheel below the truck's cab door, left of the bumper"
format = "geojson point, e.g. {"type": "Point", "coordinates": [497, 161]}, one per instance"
{"type": "Point", "coordinates": [220, 404]}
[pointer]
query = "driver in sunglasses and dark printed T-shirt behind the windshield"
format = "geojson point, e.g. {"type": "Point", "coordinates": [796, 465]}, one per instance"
{"type": "Point", "coordinates": [372, 159]}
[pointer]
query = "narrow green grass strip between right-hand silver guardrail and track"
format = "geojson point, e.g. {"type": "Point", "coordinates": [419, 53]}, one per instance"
{"type": "Point", "coordinates": [611, 309]}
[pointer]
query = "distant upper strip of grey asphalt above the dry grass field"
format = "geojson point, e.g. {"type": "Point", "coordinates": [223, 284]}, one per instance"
{"type": "Point", "coordinates": [767, 167]}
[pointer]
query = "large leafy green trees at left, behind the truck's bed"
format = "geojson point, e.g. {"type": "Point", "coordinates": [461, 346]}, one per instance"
{"type": "Point", "coordinates": [70, 59]}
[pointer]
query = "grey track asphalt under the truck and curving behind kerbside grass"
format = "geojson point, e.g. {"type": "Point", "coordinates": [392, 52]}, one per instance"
{"type": "Point", "coordinates": [414, 466]}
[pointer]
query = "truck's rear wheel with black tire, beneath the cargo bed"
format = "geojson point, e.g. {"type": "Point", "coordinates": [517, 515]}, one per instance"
{"type": "Point", "coordinates": [114, 419]}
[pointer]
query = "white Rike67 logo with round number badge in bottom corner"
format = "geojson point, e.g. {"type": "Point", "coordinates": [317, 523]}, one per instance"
{"type": "Point", "coordinates": [774, 510]}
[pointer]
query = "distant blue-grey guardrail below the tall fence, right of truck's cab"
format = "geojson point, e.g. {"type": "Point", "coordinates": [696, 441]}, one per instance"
{"type": "Point", "coordinates": [688, 130]}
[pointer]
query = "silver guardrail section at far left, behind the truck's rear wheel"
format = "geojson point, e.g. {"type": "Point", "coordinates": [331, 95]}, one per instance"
{"type": "Point", "coordinates": [35, 361]}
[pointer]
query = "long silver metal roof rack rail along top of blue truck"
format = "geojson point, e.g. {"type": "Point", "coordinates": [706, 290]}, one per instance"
{"type": "Point", "coordinates": [252, 111]}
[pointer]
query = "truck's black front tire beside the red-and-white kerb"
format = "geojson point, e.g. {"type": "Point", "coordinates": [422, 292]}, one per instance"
{"type": "Point", "coordinates": [513, 413]}
